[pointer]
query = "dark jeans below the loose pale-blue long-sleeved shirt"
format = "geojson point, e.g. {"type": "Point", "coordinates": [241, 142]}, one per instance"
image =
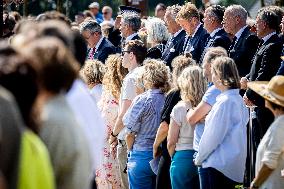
{"type": "Point", "coordinates": [211, 178]}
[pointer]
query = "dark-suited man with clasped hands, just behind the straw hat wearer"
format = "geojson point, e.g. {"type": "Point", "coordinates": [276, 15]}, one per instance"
{"type": "Point", "coordinates": [264, 66]}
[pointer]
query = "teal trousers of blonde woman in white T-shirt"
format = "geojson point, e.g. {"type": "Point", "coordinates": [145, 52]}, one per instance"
{"type": "Point", "coordinates": [183, 172]}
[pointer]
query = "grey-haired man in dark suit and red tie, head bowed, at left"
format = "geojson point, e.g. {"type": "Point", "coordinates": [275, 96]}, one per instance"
{"type": "Point", "coordinates": [99, 47]}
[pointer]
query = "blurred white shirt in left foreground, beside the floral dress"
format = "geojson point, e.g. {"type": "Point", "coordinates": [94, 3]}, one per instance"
{"type": "Point", "coordinates": [87, 113]}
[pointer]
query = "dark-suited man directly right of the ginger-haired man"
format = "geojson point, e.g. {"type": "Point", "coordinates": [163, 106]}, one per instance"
{"type": "Point", "coordinates": [213, 18]}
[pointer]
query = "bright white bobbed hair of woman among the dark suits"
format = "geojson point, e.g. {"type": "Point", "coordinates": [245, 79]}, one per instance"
{"type": "Point", "coordinates": [156, 30]}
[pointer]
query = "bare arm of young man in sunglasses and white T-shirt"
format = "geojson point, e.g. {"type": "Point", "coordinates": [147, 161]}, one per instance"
{"type": "Point", "coordinates": [118, 124]}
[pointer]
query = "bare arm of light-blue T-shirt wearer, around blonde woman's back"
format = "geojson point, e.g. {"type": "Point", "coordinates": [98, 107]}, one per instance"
{"type": "Point", "coordinates": [197, 114]}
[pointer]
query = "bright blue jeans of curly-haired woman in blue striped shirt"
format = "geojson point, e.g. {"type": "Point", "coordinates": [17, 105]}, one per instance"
{"type": "Point", "coordinates": [140, 174]}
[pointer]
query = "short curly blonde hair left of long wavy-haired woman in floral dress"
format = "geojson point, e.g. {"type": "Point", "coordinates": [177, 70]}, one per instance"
{"type": "Point", "coordinates": [93, 71]}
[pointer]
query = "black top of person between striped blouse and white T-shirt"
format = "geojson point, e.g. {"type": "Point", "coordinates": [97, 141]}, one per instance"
{"type": "Point", "coordinates": [171, 100]}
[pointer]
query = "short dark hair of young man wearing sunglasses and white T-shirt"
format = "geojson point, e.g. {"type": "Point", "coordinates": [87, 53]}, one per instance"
{"type": "Point", "coordinates": [138, 48]}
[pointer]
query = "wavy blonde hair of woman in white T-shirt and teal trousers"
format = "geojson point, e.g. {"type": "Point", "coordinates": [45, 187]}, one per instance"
{"type": "Point", "coordinates": [192, 85]}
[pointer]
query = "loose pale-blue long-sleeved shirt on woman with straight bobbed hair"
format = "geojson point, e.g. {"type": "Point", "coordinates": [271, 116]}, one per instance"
{"type": "Point", "coordinates": [224, 141]}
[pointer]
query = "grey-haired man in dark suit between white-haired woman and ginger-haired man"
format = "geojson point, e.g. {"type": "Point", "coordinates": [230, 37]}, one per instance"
{"type": "Point", "coordinates": [175, 42]}
